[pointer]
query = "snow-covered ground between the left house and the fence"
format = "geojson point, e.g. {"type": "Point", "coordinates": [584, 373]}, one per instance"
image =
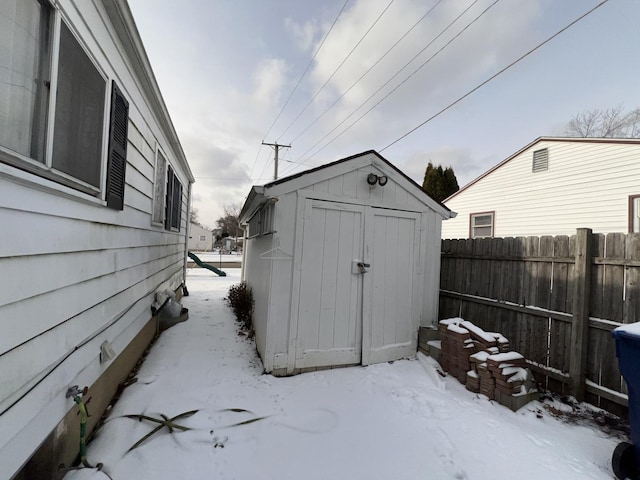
{"type": "Point", "coordinates": [397, 420]}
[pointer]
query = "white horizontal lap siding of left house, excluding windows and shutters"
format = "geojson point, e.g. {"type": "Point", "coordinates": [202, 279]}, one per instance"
{"type": "Point", "coordinates": [74, 272]}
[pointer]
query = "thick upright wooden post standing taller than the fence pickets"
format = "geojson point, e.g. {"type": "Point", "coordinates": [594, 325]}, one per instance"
{"type": "Point", "coordinates": [580, 322]}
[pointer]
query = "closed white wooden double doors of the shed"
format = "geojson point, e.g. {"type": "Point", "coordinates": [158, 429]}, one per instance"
{"type": "Point", "coordinates": [351, 314]}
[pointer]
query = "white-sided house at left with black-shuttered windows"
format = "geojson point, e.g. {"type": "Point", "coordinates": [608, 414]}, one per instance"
{"type": "Point", "coordinates": [94, 195]}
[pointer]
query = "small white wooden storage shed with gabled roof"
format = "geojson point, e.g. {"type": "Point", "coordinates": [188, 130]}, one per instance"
{"type": "Point", "coordinates": [344, 264]}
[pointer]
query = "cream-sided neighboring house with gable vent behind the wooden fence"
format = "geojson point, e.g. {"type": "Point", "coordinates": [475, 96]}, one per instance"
{"type": "Point", "coordinates": [552, 187]}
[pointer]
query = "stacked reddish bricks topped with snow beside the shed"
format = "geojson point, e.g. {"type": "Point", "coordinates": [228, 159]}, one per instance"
{"type": "Point", "coordinates": [482, 361]}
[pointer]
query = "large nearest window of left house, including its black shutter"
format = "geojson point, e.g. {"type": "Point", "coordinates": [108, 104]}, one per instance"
{"type": "Point", "coordinates": [52, 125]}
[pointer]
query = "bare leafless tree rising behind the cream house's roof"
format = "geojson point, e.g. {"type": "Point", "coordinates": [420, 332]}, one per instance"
{"type": "Point", "coordinates": [612, 122]}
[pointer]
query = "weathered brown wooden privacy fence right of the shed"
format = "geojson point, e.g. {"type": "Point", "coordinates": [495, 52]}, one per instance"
{"type": "Point", "coordinates": [556, 299]}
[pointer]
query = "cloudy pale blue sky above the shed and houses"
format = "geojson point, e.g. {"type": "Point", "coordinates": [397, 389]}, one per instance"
{"type": "Point", "coordinates": [227, 67]}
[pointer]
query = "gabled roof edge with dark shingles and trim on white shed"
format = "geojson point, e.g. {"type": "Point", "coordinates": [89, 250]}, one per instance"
{"type": "Point", "coordinates": [258, 194]}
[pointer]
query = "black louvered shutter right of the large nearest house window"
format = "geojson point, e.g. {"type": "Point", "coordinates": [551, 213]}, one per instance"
{"type": "Point", "coordinates": [117, 162]}
